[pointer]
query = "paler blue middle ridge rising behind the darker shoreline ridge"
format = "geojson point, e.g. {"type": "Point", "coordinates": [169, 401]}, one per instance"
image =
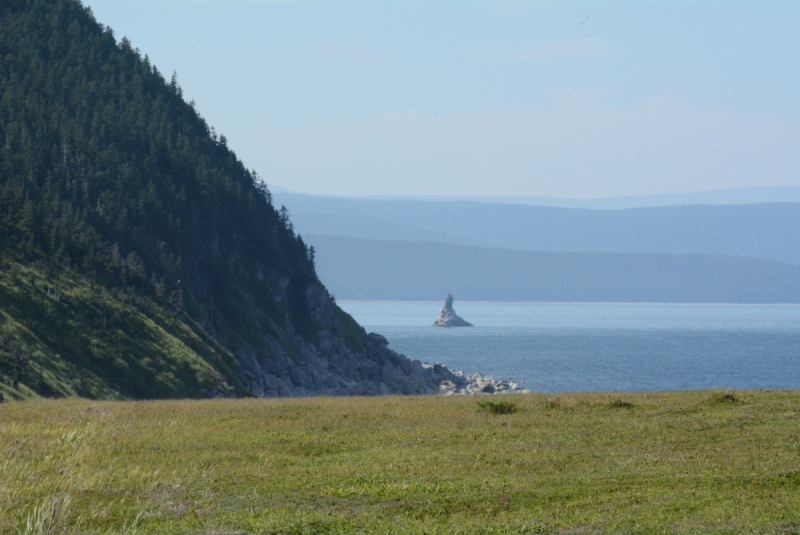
{"type": "Point", "coordinates": [768, 231]}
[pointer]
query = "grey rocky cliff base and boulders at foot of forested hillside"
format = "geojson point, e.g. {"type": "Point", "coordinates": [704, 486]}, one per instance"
{"type": "Point", "coordinates": [289, 366]}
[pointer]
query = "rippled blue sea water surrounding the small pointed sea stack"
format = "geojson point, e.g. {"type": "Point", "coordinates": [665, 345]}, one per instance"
{"type": "Point", "coordinates": [559, 347]}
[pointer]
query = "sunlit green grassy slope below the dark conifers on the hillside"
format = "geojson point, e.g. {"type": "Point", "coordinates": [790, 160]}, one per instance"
{"type": "Point", "coordinates": [64, 335]}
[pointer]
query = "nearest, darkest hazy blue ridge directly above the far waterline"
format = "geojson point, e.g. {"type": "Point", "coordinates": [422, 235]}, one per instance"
{"type": "Point", "coordinates": [401, 270]}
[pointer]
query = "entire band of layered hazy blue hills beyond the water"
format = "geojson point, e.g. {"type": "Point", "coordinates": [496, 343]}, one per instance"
{"type": "Point", "coordinates": [409, 249]}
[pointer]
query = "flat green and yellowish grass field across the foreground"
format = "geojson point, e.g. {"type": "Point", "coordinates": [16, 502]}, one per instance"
{"type": "Point", "coordinates": [680, 462]}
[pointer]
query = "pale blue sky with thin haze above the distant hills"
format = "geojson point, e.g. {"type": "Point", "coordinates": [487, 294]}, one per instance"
{"type": "Point", "coordinates": [573, 99]}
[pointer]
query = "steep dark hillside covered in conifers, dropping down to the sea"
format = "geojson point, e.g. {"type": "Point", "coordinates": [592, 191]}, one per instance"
{"type": "Point", "coordinates": [140, 257]}
